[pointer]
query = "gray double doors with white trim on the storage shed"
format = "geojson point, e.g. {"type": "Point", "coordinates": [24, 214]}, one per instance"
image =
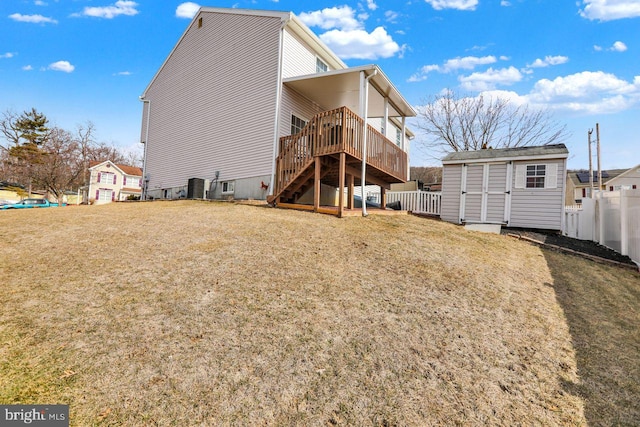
{"type": "Point", "coordinates": [486, 190]}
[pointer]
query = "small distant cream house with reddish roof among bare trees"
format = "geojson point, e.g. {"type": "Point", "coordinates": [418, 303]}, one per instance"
{"type": "Point", "coordinates": [110, 182]}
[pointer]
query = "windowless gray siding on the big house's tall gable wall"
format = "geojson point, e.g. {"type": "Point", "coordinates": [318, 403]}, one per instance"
{"type": "Point", "coordinates": [213, 103]}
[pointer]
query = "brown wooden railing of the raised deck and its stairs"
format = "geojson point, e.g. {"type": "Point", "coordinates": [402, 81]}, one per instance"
{"type": "Point", "coordinates": [331, 132]}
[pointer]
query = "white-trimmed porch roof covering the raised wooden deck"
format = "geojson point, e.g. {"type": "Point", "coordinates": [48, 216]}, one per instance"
{"type": "Point", "coordinates": [333, 89]}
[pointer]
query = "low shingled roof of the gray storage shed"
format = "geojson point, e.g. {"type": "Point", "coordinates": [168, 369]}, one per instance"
{"type": "Point", "coordinates": [551, 151]}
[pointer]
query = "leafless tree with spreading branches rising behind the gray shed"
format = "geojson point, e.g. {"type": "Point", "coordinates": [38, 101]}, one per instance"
{"type": "Point", "coordinates": [454, 123]}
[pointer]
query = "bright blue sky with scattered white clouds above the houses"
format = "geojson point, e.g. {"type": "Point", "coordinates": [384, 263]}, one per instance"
{"type": "Point", "coordinates": [89, 60]}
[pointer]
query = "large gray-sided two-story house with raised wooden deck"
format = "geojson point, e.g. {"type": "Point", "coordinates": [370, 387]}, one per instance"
{"type": "Point", "coordinates": [248, 100]}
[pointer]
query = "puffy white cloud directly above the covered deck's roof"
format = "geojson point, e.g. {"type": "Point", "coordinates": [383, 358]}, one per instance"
{"type": "Point", "coordinates": [360, 44]}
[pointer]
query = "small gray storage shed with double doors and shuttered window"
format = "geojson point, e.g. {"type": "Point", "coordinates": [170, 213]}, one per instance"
{"type": "Point", "coordinates": [516, 187]}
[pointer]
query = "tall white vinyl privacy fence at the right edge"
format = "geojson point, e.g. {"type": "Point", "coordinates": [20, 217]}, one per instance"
{"type": "Point", "coordinates": [611, 218]}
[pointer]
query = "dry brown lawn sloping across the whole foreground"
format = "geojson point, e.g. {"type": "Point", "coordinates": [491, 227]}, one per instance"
{"type": "Point", "coordinates": [196, 313]}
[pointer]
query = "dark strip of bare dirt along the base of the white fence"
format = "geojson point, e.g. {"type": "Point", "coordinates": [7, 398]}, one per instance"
{"type": "Point", "coordinates": [582, 246]}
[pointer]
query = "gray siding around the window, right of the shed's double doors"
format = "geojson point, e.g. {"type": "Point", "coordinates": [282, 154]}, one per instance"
{"type": "Point", "coordinates": [540, 207]}
